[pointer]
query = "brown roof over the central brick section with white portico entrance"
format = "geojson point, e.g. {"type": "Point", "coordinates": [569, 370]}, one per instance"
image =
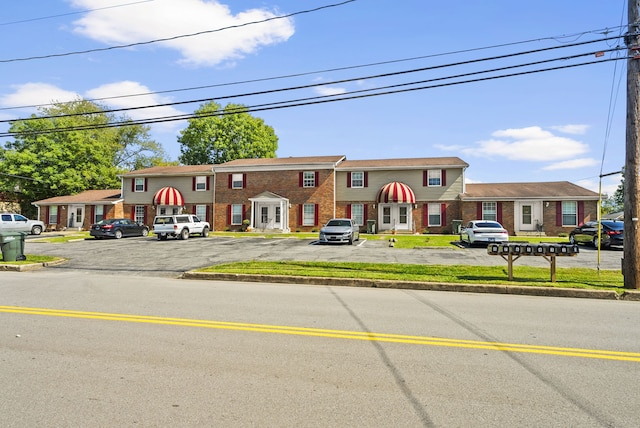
{"type": "Point", "coordinates": [269, 164]}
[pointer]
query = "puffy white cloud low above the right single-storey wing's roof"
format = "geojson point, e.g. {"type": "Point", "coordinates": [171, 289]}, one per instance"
{"type": "Point", "coordinates": [528, 144]}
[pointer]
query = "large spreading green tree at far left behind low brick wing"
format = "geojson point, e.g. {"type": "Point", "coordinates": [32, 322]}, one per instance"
{"type": "Point", "coordinates": [49, 157]}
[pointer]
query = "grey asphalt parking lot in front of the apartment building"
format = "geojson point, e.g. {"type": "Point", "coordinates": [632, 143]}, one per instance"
{"type": "Point", "coordinates": [148, 256]}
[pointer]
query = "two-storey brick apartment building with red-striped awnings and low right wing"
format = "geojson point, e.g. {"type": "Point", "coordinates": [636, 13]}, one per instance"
{"type": "Point", "coordinates": [302, 193]}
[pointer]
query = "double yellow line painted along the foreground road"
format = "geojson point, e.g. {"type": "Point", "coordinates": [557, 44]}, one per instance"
{"type": "Point", "coordinates": [334, 334]}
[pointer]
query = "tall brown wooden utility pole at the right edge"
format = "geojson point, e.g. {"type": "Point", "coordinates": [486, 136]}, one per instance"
{"type": "Point", "coordinates": [631, 262]}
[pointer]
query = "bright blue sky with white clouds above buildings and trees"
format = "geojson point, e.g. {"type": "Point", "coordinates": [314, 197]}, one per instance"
{"type": "Point", "coordinates": [424, 78]}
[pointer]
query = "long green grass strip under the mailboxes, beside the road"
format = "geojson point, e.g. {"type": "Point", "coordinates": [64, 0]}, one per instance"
{"type": "Point", "coordinates": [523, 275]}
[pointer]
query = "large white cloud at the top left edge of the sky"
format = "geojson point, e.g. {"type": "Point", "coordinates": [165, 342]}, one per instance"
{"type": "Point", "coordinates": [148, 21]}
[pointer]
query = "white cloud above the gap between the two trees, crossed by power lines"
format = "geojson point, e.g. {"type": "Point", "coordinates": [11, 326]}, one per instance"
{"type": "Point", "coordinates": [124, 88]}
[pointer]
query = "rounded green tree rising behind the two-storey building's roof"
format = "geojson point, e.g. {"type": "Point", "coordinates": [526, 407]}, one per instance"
{"type": "Point", "coordinates": [221, 135]}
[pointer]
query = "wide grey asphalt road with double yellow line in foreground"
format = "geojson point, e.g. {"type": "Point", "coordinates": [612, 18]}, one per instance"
{"type": "Point", "coordinates": [89, 348]}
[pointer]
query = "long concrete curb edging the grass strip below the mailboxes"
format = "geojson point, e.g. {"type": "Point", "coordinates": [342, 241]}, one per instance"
{"type": "Point", "coordinates": [410, 285]}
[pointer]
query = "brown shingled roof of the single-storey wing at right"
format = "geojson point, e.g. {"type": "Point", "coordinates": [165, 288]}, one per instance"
{"type": "Point", "coordinates": [539, 190]}
